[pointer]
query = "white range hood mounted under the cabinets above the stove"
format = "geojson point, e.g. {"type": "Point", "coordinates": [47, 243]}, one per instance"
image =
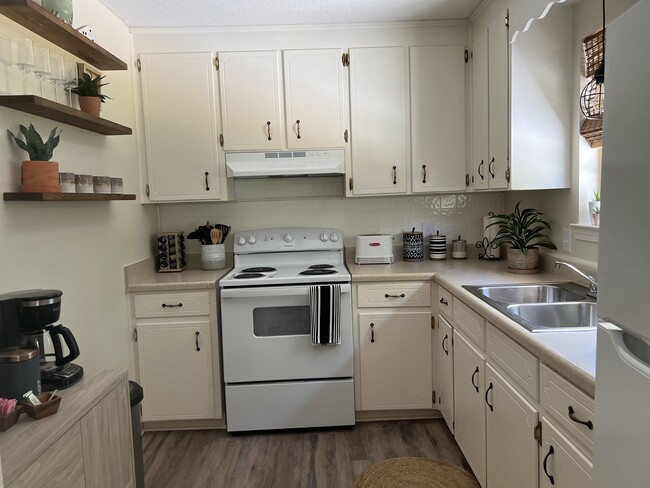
{"type": "Point", "coordinates": [285, 163]}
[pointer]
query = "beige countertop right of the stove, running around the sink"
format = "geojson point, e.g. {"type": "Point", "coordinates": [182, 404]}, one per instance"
{"type": "Point", "coordinates": [571, 354]}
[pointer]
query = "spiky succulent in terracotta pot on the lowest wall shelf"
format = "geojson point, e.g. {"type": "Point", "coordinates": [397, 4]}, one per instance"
{"type": "Point", "coordinates": [39, 174]}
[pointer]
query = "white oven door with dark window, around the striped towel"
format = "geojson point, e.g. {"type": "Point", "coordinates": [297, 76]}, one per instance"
{"type": "Point", "coordinates": [266, 336]}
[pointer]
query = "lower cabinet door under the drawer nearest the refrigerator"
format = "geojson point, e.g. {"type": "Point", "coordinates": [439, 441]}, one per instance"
{"type": "Point", "coordinates": [563, 464]}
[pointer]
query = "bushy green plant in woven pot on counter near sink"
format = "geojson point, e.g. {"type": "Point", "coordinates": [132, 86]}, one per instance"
{"type": "Point", "coordinates": [523, 232]}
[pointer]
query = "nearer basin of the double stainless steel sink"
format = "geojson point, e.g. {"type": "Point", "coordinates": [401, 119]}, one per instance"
{"type": "Point", "coordinates": [564, 316]}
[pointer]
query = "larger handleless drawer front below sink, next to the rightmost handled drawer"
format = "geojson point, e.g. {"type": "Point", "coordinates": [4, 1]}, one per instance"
{"type": "Point", "coordinates": [519, 364]}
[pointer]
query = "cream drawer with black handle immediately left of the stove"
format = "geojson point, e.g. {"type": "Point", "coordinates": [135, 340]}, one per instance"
{"type": "Point", "coordinates": [175, 304]}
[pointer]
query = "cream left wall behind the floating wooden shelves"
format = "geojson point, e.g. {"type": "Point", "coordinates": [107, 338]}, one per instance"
{"type": "Point", "coordinates": [80, 247]}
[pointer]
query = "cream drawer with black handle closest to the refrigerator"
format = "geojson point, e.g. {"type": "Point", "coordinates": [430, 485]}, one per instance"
{"type": "Point", "coordinates": [558, 397]}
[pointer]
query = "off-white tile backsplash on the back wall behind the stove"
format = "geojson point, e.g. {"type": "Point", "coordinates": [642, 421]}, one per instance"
{"type": "Point", "coordinates": [452, 214]}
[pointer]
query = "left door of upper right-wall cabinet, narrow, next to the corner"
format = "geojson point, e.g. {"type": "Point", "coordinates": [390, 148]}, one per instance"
{"type": "Point", "coordinates": [480, 114]}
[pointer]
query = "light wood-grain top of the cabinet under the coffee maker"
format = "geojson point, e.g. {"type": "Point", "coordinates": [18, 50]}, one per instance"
{"type": "Point", "coordinates": [23, 443]}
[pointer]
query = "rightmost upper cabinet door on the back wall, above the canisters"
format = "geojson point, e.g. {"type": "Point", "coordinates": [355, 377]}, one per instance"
{"type": "Point", "coordinates": [437, 118]}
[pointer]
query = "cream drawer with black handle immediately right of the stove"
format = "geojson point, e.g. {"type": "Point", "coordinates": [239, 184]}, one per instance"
{"type": "Point", "coordinates": [402, 294]}
